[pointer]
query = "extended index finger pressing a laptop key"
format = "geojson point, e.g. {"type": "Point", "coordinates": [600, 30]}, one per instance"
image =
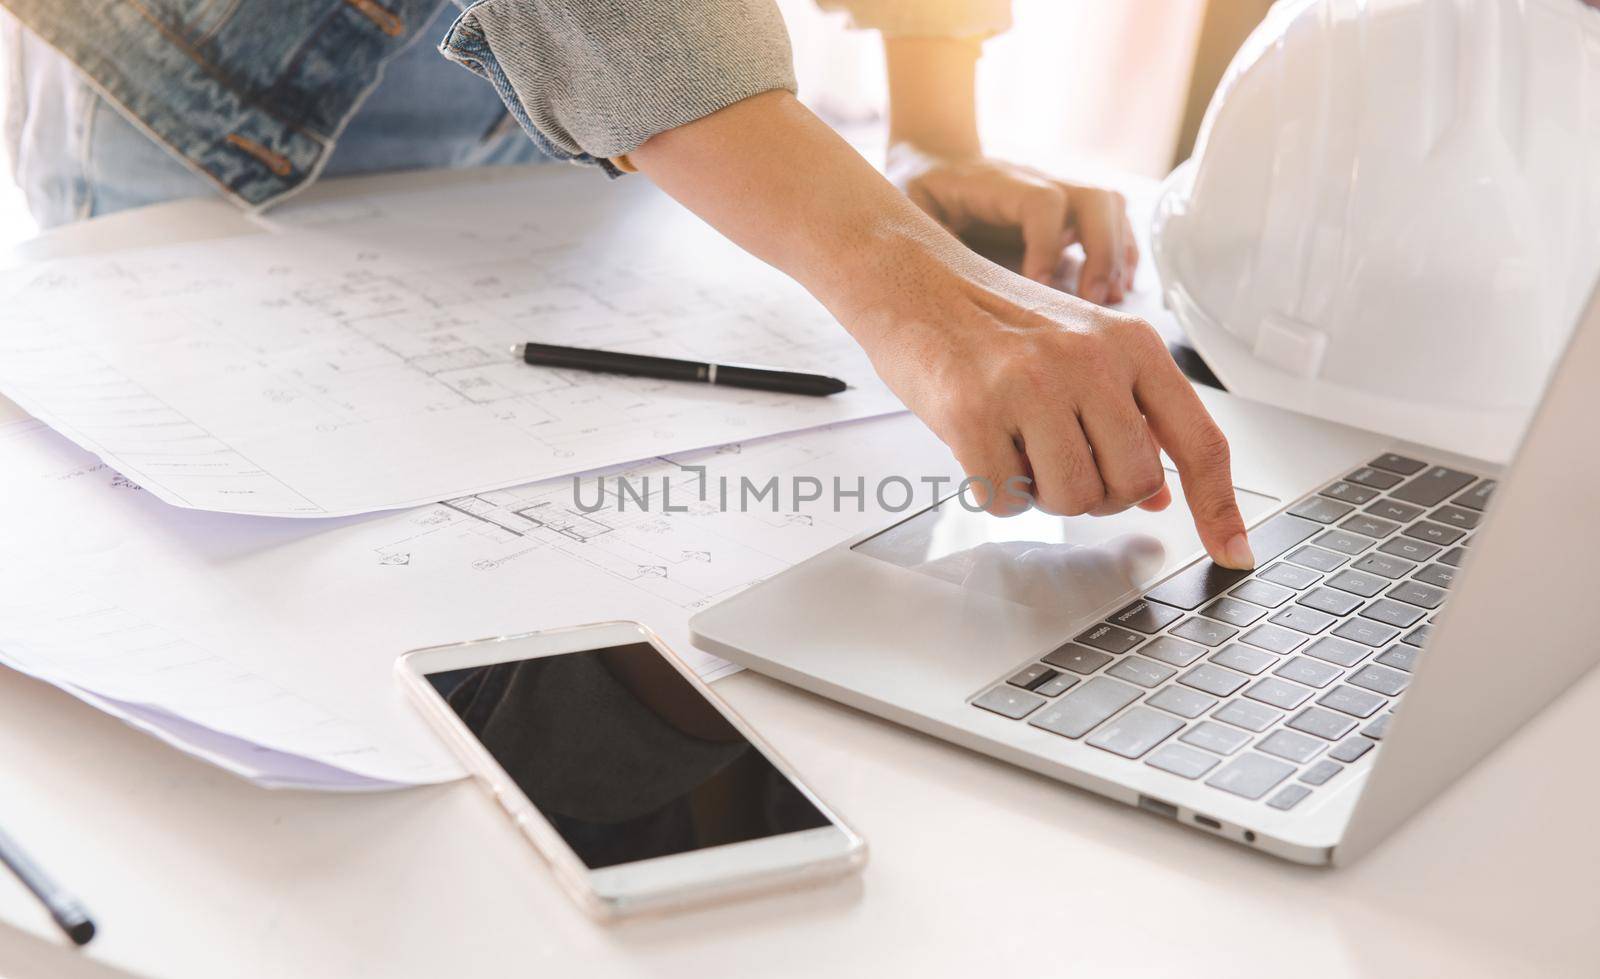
{"type": "Point", "coordinates": [1199, 449]}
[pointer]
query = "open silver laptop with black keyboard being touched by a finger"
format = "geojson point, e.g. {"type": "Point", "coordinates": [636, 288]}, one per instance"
{"type": "Point", "coordinates": [1410, 610]}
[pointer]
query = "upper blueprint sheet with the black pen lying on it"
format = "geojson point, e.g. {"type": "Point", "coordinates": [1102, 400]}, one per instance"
{"type": "Point", "coordinates": [358, 358]}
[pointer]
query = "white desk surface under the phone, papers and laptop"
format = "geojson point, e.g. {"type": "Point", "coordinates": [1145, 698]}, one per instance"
{"type": "Point", "coordinates": [977, 868]}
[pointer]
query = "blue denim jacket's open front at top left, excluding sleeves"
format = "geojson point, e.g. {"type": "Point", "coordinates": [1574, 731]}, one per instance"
{"type": "Point", "coordinates": [252, 95]}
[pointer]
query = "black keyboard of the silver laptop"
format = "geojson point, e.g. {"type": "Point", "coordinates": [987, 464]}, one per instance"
{"type": "Point", "coordinates": [1270, 684]}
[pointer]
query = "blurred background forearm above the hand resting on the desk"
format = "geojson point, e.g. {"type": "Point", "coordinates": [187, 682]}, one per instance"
{"type": "Point", "coordinates": [934, 95]}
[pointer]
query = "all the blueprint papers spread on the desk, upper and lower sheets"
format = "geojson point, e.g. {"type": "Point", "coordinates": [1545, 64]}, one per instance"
{"type": "Point", "coordinates": [356, 359]}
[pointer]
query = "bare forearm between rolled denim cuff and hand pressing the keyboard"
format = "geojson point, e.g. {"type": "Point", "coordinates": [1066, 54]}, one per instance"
{"type": "Point", "coordinates": [780, 183]}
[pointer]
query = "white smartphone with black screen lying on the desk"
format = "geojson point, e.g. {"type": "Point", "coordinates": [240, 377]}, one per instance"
{"type": "Point", "coordinates": [634, 781]}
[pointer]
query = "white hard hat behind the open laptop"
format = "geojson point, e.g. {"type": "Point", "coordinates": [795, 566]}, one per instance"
{"type": "Point", "coordinates": [1393, 214]}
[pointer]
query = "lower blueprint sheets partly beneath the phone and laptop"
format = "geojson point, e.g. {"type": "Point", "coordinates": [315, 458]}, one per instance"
{"type": "Point", "coordinates": [268, 647]}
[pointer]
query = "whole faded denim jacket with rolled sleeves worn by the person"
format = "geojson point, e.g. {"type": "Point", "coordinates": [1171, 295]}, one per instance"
{"type": "Point", "coordinates": [255, 94]}
